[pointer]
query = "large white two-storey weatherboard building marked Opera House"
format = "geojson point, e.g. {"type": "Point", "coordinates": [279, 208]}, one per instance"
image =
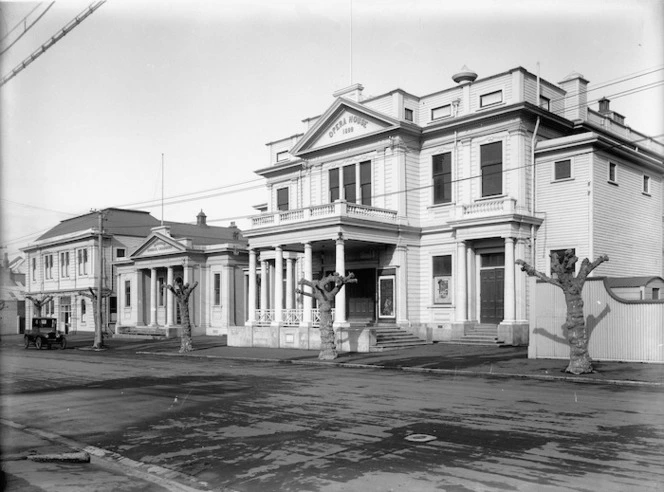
{"type": "Point", "coordinates": [429, 200]}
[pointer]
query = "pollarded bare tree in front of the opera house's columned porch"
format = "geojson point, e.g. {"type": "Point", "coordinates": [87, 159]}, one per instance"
{"type": "Point", "coordinates": [324, 291]}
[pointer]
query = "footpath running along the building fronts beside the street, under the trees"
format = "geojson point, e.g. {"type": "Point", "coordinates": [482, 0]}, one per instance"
{"type": "Point", "coordinates": [437, 358]}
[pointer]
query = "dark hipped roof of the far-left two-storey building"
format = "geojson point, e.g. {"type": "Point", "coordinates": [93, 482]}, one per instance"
{"type": "Point", "coordinates": [117, 222]}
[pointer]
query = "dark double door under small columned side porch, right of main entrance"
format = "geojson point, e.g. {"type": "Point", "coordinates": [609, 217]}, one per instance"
{"type": "Point", "coordinates": [492, 288]}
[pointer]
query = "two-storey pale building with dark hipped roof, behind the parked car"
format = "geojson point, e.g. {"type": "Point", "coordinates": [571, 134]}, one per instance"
{"type": "Point", "coordinates": [65, 262]}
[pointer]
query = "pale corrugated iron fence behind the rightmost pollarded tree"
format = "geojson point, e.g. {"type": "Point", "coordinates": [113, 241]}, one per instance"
{"type": "Point", "coordinates": [619, 330]}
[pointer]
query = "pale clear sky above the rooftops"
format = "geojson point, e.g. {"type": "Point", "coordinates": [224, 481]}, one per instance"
{"type": "Point", "coordinates": [197, 89]}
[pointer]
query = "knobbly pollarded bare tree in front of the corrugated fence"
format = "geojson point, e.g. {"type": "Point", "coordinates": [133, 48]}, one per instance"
{"type": "Point", "coordinates": [562, 271]}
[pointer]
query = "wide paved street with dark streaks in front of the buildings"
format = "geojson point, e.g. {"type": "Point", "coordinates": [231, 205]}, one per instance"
{"type": "Point", "coordinates": [252, 426]}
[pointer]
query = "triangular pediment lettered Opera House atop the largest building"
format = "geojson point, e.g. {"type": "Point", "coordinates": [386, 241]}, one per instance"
{"type": "Point", "coordinates": [344, 120]}
